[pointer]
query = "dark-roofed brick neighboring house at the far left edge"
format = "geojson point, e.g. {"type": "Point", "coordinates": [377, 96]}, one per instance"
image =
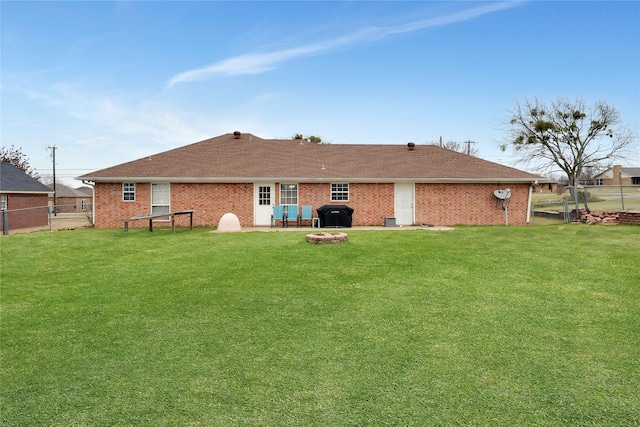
{"type": "Point", "coordinates": [22, 198]}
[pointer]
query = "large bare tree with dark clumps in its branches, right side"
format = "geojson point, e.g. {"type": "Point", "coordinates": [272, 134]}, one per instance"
{"type": "Point", "coordinates": [569, 135]}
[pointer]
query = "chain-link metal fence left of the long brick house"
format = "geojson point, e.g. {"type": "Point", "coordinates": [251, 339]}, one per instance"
{"type": "Point", "coordinates": [45, 217]}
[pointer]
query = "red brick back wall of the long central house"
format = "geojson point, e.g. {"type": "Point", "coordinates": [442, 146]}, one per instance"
{"type": "Point", "coordinates": [437, 204]}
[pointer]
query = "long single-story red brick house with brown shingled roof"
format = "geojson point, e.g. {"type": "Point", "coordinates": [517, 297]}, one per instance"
{"type": "Point", "coordinates": [247, 176]}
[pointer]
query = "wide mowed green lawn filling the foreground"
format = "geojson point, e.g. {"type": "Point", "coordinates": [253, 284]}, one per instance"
{"type": "Point", "coordinates": [480, 326]}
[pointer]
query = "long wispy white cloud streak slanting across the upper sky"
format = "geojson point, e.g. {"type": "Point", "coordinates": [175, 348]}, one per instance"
{"type": "Point", "coordinates": [256, 63]}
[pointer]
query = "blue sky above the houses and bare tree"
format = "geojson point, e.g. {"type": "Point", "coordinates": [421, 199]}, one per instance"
{"type": "Point", "coordinates": [110, 82]}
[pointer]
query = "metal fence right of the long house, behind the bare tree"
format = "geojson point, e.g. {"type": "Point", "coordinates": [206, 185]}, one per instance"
{"type": "Point", "coordinates": [598, 198]}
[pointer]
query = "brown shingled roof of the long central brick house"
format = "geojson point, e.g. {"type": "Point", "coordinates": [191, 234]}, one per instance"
{"type": "Point", "coordinates": [245, 157]}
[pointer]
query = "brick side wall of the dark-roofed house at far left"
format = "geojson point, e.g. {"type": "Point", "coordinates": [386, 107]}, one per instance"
{"type": "Point", "coordinates": [32, 211]}
